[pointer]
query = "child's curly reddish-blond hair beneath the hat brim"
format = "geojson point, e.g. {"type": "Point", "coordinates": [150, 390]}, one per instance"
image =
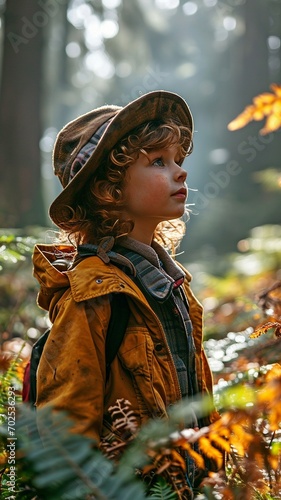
{"type": "Point", "coordinates": [98, 212]}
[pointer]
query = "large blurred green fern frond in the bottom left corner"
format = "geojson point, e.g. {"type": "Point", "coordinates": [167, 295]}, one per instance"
{"type": "Point", "coordinates": [66, 466]}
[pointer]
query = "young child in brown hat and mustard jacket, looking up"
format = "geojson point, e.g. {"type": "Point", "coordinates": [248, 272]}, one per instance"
{"type": "Point", "coordinates": [124, 195]}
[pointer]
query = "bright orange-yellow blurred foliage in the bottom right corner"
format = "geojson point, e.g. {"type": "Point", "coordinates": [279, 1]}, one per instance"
{"type": "Point", "coordinates": [250, 432]}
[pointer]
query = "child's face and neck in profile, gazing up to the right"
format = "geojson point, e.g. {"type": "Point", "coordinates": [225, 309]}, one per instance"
{"type": "Point", "coordinates": [155, 190]}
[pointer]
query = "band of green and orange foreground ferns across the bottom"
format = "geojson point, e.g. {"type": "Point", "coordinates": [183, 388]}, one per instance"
{"type": "Point", "coordinates": [68, 466]}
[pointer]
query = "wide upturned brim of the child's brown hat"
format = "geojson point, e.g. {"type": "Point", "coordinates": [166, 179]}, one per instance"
{"type": "Point", "coordinates": [155, 105]}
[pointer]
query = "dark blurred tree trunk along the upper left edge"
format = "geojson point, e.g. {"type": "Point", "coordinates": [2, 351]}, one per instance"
{"type": "Point", "coordinates": [21, 200]}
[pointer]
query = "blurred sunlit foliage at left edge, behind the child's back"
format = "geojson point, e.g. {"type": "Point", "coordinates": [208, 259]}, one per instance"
{"type": "Point", "coordinates": [20, 317]}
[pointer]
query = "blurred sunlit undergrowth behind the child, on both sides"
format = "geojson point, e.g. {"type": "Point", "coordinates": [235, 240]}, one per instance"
{"type": "Point", "coordinates": [228, 288]}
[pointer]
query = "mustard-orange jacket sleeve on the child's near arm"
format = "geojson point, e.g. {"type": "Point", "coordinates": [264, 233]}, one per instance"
{"type": "Point", "coordinates": [71, 373]}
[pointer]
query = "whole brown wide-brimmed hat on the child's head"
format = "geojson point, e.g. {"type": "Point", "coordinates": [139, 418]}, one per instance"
{"type": "Point", "coordinates": [76, 135]}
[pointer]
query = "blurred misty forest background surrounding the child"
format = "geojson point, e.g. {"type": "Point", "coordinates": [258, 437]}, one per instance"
{"type": "Point", "coordinates": [60, 58]}
